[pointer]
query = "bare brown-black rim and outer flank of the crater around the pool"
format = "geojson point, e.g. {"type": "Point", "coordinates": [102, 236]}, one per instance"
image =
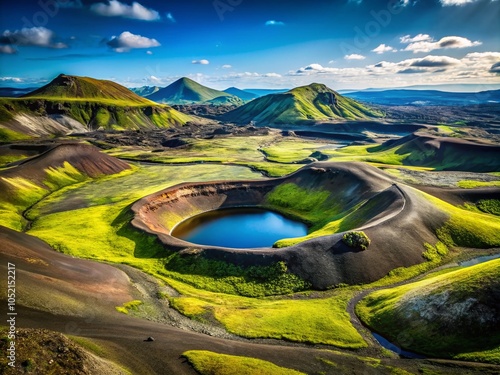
{"type": "Point", "coordinates": [397, 219]}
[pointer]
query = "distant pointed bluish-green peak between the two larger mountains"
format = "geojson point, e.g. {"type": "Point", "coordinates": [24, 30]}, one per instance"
{"type": "Point", "coordinates": [187, 91]}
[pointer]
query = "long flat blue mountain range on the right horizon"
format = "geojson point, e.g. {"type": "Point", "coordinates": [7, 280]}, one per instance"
{"type": "Point", "coordinates": [425, 97]}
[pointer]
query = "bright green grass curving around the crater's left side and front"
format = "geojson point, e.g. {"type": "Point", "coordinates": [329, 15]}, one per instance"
{"type": "Point", "coordinates": [101, 220]}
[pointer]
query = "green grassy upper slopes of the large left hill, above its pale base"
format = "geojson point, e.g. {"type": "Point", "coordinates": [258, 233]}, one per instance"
{"type": "Point", "coordinates": [92, 102]}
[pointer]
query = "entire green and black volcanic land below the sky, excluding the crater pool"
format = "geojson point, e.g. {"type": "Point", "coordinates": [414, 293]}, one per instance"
{"type": "Point", "coordinates": [94, 178]}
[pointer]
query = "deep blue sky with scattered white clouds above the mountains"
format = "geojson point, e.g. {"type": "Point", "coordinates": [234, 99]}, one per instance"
{"type": "Point", "coordinates": [345, 44]}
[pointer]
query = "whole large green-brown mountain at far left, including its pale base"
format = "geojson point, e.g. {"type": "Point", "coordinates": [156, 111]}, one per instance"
{"type": "Point", "coordinates": [80, 104]}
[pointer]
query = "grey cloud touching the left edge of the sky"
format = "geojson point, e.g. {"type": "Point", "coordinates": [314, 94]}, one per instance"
{"type": "Point", "coordinates": [35, 36]}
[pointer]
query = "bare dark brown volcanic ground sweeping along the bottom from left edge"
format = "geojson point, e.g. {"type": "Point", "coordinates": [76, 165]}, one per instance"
{"type": "Point", "coordinates": [41, 271]}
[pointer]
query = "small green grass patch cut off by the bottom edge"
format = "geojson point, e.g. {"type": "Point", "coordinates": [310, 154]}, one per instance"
{"type": "Point", "coordinates": [210, 363]}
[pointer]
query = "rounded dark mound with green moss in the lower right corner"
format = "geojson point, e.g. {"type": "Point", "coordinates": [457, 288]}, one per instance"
{"type": "Point", "coordinates": [390, 312]}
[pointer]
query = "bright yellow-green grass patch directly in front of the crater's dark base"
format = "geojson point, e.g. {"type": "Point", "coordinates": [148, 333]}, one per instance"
{"type": "Point", "coordinates": [321, 320]}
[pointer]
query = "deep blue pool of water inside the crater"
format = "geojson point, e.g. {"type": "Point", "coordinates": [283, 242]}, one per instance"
{"type": "Point", "coordinates": [238, 228]}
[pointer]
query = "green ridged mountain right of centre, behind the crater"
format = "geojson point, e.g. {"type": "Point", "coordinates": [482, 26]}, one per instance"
{"type": "Point", "coordinates": [312, 103]}
